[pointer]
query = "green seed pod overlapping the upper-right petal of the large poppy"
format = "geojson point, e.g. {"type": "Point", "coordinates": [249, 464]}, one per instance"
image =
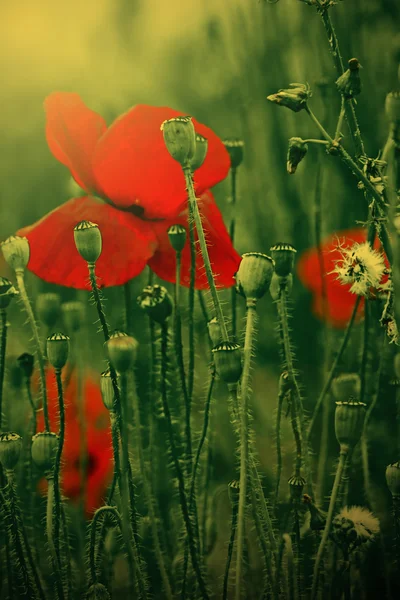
{"type": "Point", "coordinates": [180, 139]}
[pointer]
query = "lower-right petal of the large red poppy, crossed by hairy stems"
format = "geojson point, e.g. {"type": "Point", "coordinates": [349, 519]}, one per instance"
{"type": "Point", "coordinates": [224, 258]}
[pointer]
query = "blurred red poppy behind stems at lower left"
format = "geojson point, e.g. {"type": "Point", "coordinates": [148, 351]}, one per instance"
{"type": "Point", "coordinates": [96, 432]}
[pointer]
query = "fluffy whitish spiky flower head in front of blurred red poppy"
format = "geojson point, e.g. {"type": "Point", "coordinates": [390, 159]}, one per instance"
{"type": "Point", "coordinates": [360, 265]}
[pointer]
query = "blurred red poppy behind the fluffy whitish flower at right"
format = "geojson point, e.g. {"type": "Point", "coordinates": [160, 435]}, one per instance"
{"type": "Point", "coordinates": [339, 300]}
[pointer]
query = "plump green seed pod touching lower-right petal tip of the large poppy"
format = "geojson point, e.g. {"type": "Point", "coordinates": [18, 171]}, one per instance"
{"type": "Point", "coordinates": [254, 275]}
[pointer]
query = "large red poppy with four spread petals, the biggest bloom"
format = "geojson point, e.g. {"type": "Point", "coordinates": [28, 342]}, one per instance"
{"type": "Point", "coordinates": [135, 192]}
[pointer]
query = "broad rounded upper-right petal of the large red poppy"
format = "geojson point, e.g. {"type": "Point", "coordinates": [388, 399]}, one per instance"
{"type": "Point", "coordinates": [133, 167]}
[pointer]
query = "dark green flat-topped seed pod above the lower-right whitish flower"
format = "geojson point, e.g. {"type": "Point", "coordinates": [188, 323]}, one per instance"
{"type": "Point", "coordinates": [349, 421]}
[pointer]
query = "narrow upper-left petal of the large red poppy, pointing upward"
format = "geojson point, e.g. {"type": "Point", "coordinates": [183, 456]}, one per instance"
{"type": "Point", "coordinates": [72, 132]}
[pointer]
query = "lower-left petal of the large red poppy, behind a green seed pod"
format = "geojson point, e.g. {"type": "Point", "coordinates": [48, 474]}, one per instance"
{"type": "Point", "coordinates": [128, 243]}
